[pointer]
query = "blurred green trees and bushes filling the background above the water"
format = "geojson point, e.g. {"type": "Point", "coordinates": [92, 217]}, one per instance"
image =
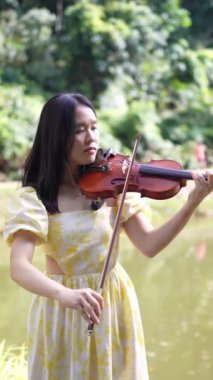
{"type": "Point", "coordinates": [132, 58]}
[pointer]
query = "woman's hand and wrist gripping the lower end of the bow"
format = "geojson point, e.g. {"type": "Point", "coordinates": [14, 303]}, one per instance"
{"type": "Point", "coordinates": [87, 301]}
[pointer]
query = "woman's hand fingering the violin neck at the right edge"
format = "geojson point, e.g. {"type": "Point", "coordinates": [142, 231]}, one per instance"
{"type": "Point", "coordinates": [202, 187]}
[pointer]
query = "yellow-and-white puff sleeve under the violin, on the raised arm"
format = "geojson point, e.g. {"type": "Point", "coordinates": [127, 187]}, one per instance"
{"type": "Point", "coordinates": [133, 203]}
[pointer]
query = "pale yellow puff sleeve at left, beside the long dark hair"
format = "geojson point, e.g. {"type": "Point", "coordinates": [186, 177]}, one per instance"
{"type": "Point", "coordinates": [26, 212]}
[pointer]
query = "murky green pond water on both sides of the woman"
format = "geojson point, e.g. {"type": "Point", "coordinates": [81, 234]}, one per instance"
{"type": "Point", "coordinates": [175, 292]}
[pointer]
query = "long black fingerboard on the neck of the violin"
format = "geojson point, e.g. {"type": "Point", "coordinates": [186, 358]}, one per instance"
{"type": "Point", "coordinates": [165, 172]}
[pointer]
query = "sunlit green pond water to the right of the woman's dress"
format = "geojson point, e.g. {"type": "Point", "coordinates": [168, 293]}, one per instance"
{"type": "Point", "coordinates": [175, 292]}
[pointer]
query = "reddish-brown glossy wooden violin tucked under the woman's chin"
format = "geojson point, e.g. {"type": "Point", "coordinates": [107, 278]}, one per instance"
{"type": "Point", "coordinates": [158, 179]}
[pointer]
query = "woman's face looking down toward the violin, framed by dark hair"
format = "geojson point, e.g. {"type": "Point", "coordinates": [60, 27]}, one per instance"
{"type": "Point", "coordinates": [86, 139]}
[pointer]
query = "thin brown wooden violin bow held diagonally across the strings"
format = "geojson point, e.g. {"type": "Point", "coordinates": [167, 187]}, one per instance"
{"type": "Point", "coordinates": [117, 220]}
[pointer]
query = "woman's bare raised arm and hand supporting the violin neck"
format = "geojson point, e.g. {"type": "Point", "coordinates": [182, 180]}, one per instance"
{"type": "Point", "coordinates": [151, 241]}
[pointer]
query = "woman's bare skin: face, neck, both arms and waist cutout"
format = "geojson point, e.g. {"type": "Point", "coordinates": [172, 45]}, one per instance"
{"type": "Point", "coordinates": [148, 240]}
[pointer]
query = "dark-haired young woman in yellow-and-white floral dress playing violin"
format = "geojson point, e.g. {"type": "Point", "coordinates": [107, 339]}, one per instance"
{"type": "Point", "coordinates": [49, 209]}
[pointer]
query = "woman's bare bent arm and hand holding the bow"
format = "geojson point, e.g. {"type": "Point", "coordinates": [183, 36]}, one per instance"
{"type": "Point", "coordinates": [87, 301]}
